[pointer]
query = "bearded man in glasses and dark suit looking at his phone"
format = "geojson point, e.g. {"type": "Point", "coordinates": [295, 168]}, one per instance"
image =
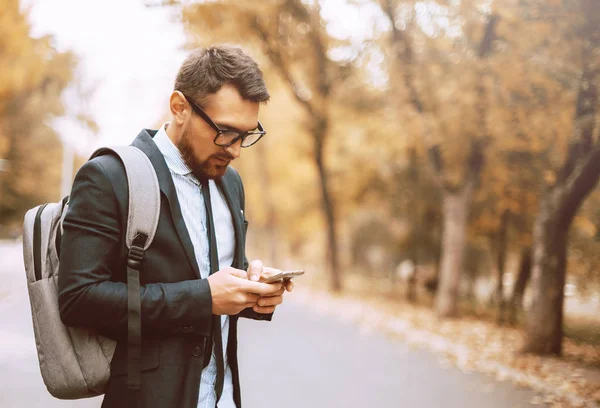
{"type": "Point", "coordinates": [214, 111]}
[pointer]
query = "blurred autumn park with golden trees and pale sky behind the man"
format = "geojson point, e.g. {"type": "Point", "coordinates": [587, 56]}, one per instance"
{"type": "Point", "coordinates": [438, 157]}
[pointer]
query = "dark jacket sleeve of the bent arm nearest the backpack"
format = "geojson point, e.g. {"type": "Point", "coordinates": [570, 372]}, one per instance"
{"type": "Point", "coordinates": [88, 297]}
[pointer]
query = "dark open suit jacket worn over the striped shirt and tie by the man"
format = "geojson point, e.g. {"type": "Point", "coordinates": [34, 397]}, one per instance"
{"type": "Point", "coordinates": [176, 303]}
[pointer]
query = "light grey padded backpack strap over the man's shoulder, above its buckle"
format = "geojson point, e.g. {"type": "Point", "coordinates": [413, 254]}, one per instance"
{"type": "Point", "coordinates": [144, 193]}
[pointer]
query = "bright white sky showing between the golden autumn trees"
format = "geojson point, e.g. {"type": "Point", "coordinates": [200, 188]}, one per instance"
{"type": "Point", "coordinates": [129, 54]}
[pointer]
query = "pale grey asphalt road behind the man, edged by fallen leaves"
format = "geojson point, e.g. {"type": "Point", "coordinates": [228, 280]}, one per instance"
{"type": "Point", "coordinates": [300, 359]}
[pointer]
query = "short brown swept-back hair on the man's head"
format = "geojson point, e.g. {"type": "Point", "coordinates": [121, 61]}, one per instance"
{"type": "Point", "coordinates": [206, 70]}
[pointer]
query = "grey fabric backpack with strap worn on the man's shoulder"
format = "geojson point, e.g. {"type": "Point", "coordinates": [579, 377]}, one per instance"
{"type": "Point", "coordinates": [75, 362]}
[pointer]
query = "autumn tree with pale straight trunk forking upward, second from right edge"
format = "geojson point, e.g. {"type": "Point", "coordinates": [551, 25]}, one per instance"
{"type": "Point", "coordinates": [436, 91]}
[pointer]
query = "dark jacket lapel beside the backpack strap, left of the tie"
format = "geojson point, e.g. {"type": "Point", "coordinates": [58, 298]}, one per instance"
{"type": "Point", "coordinates": [144, 143]}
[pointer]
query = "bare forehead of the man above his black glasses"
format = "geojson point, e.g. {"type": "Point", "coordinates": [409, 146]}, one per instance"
{"type": "Point", "coordinates": [227, 107]}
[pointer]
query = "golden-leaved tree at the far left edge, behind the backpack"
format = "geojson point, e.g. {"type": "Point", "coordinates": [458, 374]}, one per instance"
{"type": "Point", "coordinates": [33, 78]}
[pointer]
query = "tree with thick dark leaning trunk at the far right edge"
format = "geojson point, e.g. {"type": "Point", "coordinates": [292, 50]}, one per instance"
{"type": "Point", "coordinates": [570, 184]}
